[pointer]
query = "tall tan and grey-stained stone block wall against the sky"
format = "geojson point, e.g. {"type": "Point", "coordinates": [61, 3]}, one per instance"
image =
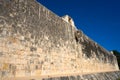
{"type": "Point", "coordinates": [36, 42]}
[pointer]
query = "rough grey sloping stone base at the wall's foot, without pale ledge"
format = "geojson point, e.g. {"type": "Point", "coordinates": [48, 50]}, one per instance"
{"type": "Point", "coordinates": [95, 76]}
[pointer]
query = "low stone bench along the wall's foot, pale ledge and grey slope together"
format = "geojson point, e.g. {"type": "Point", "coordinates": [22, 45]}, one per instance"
{"type": "Point", "coordinates": [115, 75]}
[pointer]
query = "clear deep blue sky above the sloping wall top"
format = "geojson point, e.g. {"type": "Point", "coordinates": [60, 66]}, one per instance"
{"type": "Point", "coordinates": [99, 19]}
